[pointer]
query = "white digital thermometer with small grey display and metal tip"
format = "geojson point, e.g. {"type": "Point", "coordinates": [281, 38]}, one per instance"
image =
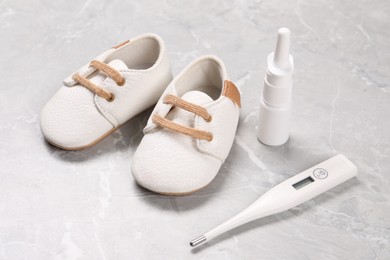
{"type": "Point", "coordinates": [290, 193]}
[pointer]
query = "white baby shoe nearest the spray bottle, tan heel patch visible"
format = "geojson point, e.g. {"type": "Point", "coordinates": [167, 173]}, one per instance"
{"type": "Point", "coordinates": [190, 132]}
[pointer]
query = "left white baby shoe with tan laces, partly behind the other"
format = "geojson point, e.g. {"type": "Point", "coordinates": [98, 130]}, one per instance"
{"type": "Point", "coordinates": [107, 92]}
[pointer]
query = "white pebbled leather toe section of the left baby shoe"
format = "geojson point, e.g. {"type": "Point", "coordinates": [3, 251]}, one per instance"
{"type": "Point", "coordinates": [70, 118]}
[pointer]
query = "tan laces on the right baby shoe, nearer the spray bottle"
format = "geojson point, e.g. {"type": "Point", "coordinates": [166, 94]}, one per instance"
{"type": "Point", "coordinates": [198, 110]}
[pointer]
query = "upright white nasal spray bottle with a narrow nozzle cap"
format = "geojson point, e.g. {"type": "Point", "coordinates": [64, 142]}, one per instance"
{"type": "Point", "coordinates": [275, 103]}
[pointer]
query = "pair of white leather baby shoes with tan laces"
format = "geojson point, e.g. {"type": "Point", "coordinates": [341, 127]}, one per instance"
{"type": "Point", "coordinates": [189, 133]}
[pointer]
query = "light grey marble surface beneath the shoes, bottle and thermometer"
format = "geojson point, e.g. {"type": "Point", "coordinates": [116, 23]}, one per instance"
{"type": "Point", "coordinates": [85, 205]}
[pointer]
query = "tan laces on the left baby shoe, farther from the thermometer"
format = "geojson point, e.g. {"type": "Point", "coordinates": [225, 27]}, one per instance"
{"type": "Point", "coordinates": [109, 71]}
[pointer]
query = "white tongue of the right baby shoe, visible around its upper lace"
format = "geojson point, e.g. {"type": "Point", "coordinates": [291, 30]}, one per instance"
{"type": "Point", "coordinates": [185, 117]}
